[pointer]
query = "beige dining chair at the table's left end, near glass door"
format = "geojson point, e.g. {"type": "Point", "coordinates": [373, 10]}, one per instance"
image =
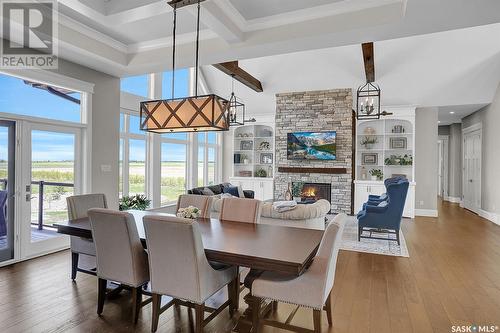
{"type": "Point", "coordinates": [78, 205]}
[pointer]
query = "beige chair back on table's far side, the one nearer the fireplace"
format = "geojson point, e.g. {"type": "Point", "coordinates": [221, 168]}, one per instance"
{"type": "Point", "coordinates": [240, 210]}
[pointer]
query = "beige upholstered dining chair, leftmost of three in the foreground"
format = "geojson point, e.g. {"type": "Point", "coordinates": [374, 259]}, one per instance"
{"type": "Point", "coordinates": [120, 255]}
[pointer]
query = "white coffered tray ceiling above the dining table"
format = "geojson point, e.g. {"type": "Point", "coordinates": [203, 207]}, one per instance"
{"type": "Point", "coordinates": [128, 37]}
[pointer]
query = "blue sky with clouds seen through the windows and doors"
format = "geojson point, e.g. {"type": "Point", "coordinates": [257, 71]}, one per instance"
{"type": "Point", "coordinates": [19, 98]}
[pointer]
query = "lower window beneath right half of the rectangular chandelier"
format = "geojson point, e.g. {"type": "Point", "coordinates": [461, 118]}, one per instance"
{"type": "Point", "coordinates": [174, 164]}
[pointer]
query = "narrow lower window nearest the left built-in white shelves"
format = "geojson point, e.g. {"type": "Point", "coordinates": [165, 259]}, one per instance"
{"type": "Point", "coordinates": [208, 148]}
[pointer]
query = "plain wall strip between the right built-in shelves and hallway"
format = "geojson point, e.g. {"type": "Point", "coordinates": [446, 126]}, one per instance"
{"type": "Point", "coordinates": [426, 161]}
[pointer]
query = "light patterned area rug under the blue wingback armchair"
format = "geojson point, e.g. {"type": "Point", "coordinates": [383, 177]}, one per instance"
{"type": "Point", "coordinates": [376, 246]}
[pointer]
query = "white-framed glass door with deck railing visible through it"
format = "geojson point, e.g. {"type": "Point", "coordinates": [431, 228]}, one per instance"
{"type": "Point", "coordinates": [52, 172]}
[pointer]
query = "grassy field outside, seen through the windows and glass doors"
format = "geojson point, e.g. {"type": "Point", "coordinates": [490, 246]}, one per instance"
{"type": "Point", "coordinates": [172, 184]}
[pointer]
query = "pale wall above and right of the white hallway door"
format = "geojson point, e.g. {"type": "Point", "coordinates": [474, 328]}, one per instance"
{"type": "Point", "coordinates": [489, 116]}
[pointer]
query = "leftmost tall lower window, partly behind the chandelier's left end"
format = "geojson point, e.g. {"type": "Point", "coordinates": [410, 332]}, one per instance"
{"type": "Point", "coordinates": [133, 147]}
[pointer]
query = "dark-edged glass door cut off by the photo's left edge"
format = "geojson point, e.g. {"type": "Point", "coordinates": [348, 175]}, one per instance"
{"type": "Point", "coordinates": [7, 189]}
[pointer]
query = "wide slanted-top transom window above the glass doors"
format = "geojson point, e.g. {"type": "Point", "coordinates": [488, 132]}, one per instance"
{"type": "Point", "coordinates": [28, 98]}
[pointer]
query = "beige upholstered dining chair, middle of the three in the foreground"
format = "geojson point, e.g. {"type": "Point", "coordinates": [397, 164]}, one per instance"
{"type": "Point", "coordinates": [180, 269]}
